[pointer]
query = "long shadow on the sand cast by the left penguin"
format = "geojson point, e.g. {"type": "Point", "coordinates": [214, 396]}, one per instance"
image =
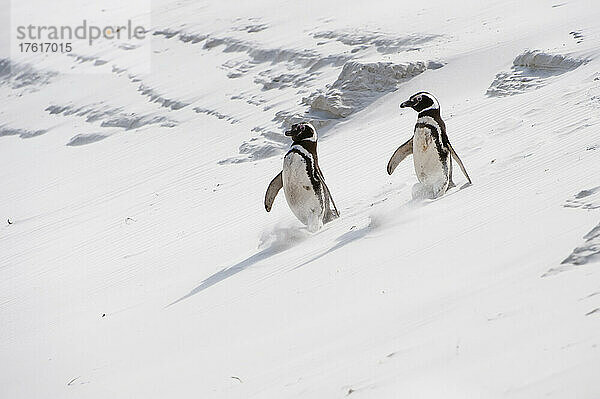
{"type": "Point", "coordinates": [276, 241]}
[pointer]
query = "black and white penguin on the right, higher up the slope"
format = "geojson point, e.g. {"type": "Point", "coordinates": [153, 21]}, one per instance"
{"type": "Point", "coordinates": [430, 147]}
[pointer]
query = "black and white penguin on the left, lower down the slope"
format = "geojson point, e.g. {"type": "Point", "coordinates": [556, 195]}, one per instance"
{"type": "Point", "coordinates": [302, 180]}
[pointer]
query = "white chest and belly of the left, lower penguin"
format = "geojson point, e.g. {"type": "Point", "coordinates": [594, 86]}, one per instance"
{"type": "Point", "coordinates": [300, 194]}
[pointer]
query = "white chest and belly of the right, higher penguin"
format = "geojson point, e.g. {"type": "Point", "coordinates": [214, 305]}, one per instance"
{"type": "Point", "coordinates": [428, 166]}
